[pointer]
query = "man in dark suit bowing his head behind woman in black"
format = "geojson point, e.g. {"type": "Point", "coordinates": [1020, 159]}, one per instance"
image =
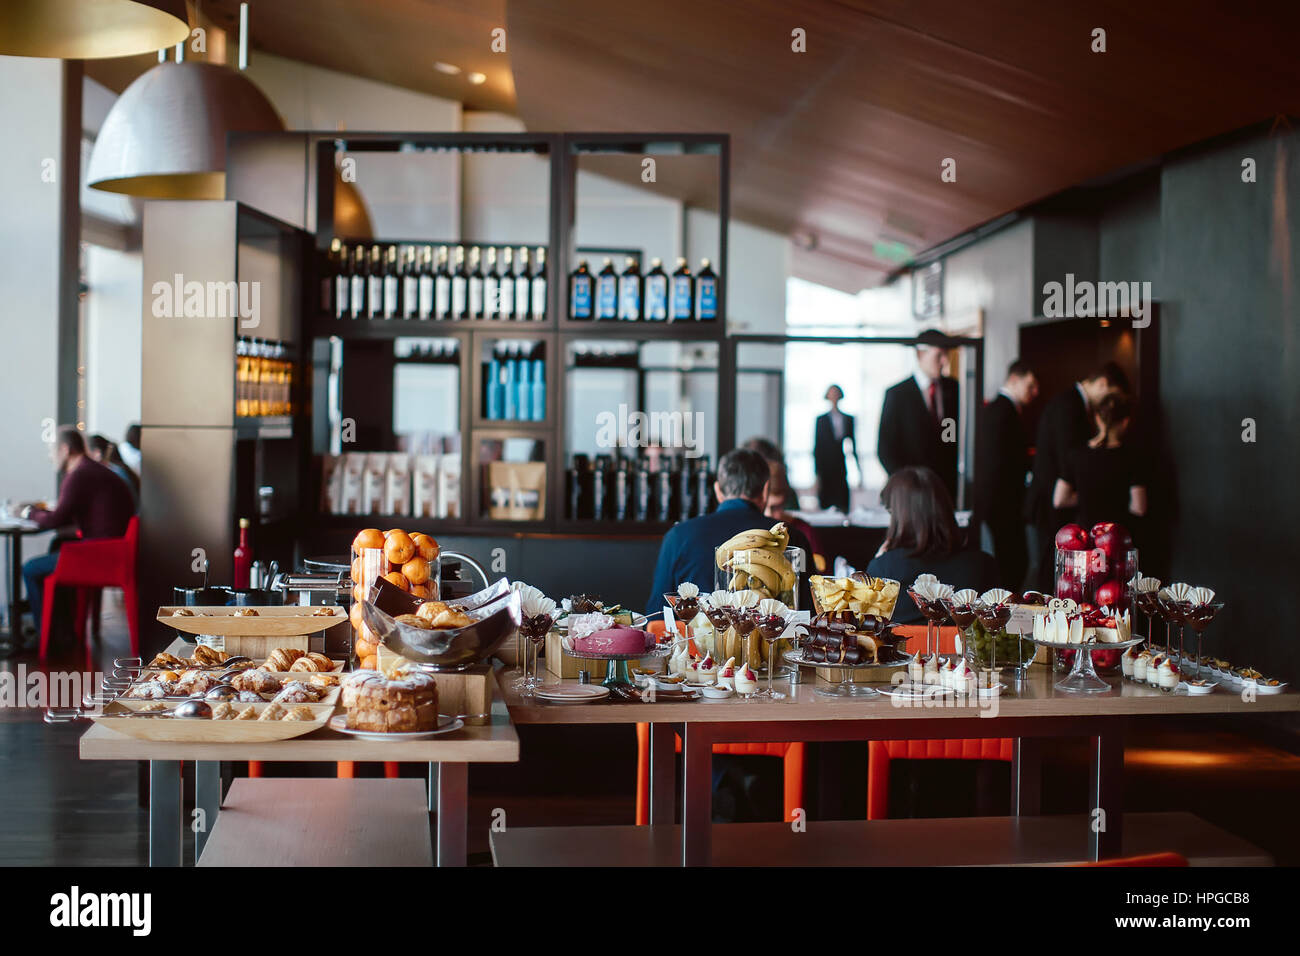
{"type": "Point", "coordinates": [1067, 425]}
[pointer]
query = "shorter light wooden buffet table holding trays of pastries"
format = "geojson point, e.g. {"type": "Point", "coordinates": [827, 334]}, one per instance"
{"type": "Point", "coordinates": [483, 741]}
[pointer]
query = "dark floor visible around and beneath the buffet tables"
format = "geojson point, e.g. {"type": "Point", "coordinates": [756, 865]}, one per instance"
{"type": "Point", "coordinates": [59, 810]}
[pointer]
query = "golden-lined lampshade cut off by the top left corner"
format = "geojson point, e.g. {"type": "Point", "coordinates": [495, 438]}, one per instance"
{"type": "Point", "coordinates": [90, 29]}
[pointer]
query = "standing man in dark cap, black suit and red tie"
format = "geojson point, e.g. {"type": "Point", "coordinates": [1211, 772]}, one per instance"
{"type": "Point", "coordinates": [913, 419]}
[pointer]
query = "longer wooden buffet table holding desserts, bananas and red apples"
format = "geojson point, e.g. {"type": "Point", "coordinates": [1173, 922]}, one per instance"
{"type": "Point", "coordinates": [1030, 713]}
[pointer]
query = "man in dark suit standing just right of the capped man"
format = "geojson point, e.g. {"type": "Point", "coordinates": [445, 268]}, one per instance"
{"type": "Point", "coordinates": [1002, 468]}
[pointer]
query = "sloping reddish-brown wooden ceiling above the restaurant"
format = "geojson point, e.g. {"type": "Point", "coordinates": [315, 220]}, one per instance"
{"type": "Point", "coordinates": [842, 146]}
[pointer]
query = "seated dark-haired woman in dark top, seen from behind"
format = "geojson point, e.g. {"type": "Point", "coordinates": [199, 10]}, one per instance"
{"type": "Point", "coordinates": [924, 538]}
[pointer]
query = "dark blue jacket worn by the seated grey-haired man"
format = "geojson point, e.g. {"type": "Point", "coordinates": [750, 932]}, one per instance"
{"type": "Point", "coordinates": [687, 553]}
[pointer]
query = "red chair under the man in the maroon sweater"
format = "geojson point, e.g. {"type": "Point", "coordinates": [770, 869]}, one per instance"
{"type": "Point", "coordinates": [105, 563]}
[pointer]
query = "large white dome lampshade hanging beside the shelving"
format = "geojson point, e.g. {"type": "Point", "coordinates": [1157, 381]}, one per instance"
{"type": "Point", "coordinates": [166, 137]}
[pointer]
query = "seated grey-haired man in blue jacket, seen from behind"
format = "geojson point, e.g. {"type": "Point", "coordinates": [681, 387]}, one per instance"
{"type": "Point", "coordinates": [687, 553]}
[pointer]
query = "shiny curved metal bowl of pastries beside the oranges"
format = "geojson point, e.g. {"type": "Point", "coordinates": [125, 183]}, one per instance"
{"type": "Point", "coordinates": [497, 615]}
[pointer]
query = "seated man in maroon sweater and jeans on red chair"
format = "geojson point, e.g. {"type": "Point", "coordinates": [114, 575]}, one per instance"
{"type": "Point", "coordinates": [92, 499]}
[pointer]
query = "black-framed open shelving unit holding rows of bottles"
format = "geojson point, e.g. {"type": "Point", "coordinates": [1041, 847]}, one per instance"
{"type": "Point", "coordinates": [564, 154]}
